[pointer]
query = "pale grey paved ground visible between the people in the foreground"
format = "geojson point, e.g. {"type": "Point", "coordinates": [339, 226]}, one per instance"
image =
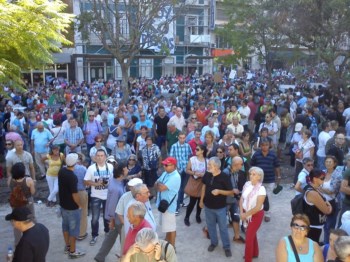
{"type": "Point", "coordinates": [190, 243]}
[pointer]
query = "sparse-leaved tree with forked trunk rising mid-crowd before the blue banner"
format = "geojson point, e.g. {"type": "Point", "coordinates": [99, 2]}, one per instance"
{"type": "Point", "coordinates": [128, 26]}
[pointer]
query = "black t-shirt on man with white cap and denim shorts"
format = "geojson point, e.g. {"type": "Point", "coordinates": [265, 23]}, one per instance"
{"type": "Point", "coordinates": [68, 184]}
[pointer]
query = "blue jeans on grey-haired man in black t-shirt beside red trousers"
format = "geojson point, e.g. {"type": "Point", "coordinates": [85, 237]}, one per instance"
{"type": "Point", "coordinates": [212, 217]}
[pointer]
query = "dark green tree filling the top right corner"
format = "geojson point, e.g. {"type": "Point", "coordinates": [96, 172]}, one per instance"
{"type": "Point", "coordinates": [323, 27]}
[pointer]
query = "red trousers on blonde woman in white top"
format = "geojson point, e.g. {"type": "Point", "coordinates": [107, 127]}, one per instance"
{"type": "Point", "coordinates": [251, 241]}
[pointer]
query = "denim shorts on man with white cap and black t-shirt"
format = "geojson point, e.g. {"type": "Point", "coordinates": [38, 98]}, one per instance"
{"type": "Point", "coordinates": [71, 221]}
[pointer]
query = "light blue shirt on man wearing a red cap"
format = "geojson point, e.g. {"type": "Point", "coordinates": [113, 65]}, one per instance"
{"type": "Point", "coordinates": [172, 181]}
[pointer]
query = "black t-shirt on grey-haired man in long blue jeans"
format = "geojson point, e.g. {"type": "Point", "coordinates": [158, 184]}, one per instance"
{"type": "Point", "coordinates": [211, 182]}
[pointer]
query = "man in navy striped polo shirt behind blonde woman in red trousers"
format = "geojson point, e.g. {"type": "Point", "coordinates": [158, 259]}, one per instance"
{"type": "Point", "coordinates": [267, 160]}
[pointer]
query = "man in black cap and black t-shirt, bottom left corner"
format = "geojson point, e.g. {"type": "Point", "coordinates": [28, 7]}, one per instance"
{"type": "Point", "coordinates": [35, 241]}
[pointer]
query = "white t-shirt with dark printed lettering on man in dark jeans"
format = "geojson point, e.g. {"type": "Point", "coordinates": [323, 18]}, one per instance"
{"type": "Point", "coordinates": [92, 174]}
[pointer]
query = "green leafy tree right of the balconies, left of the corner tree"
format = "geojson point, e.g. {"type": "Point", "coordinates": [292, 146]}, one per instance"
{"type": "Point", "coordinates": [253, 28]}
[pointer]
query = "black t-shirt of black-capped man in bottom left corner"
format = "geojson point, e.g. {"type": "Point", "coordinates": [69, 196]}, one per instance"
{"type": "Point", "coordinates": [33, 245]}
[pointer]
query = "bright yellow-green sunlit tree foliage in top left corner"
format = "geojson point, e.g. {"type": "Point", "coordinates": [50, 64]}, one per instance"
{"type": "Point", "coordinates": [30, 31]}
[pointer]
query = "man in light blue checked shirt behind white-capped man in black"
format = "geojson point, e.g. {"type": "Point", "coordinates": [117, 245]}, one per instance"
{"type": "Point", "coordinates": [73, 137]}
